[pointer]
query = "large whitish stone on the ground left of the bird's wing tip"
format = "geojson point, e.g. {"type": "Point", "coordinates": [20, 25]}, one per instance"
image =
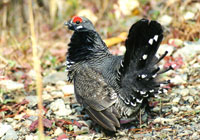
{"type": "Point", "coordinates": [59, 108]}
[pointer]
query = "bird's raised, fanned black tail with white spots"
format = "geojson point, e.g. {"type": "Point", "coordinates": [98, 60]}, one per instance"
{"type": "Point", "coordinates": [138, 71]}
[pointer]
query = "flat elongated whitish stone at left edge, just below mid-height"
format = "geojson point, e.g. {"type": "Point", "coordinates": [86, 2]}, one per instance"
{"type": "Point", "coordinates": [11, 85]}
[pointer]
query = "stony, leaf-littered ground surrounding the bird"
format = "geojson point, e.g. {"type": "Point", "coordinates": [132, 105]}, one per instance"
{"type": "Point", "coordinates": [176, 113]}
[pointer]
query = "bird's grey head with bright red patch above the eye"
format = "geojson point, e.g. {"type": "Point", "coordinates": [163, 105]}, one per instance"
{"type": "Point", "coordinates": [79, 24]}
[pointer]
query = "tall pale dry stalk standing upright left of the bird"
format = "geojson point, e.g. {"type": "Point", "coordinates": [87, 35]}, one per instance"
{"type": "Point", "coordinates": [37, 70]}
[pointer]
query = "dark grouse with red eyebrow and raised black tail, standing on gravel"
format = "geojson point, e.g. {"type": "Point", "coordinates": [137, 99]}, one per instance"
{"type": "Point", "coordinates": [112, 88]}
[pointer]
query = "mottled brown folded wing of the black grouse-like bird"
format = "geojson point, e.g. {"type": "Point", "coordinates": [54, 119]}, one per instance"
{"type": "Point", "coordinates": [97, 97]}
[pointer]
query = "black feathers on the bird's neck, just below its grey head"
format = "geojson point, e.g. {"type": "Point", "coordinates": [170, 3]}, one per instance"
{"type": "Point", "coordinates": [86, 45]}
